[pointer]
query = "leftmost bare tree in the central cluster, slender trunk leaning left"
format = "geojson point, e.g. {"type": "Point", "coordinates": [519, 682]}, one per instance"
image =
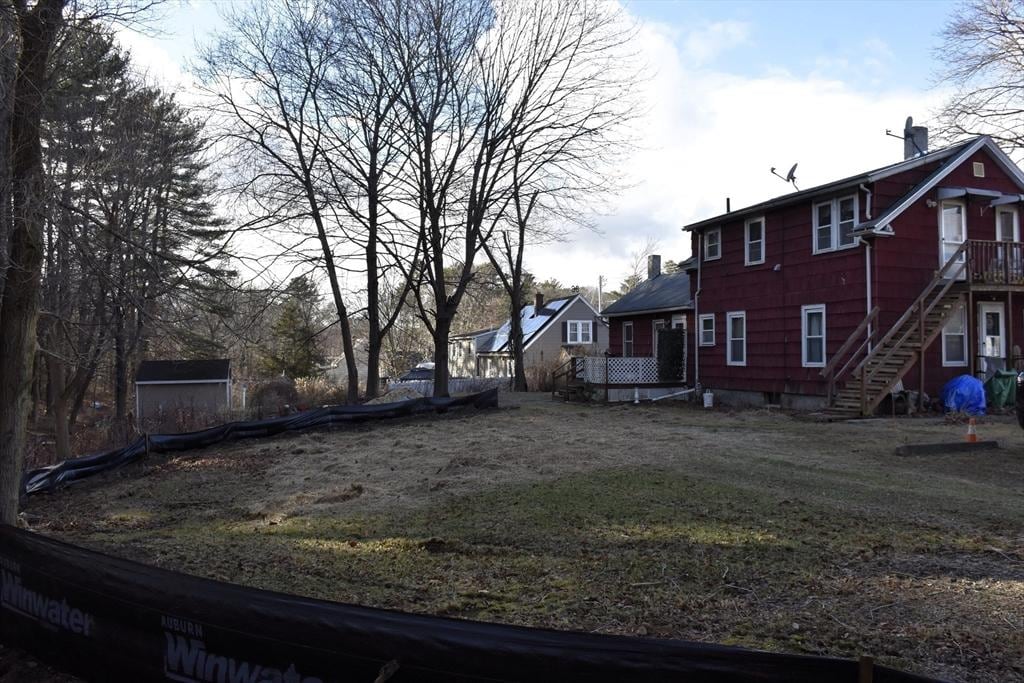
{"type": "Point", "coordinates": [266, 79]}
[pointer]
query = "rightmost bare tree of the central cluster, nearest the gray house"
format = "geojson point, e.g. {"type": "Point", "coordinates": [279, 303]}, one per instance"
{"type": "Point", "coordinates": [569, 65]}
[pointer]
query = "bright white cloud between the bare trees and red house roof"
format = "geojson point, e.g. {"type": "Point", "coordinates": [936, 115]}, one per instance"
{"type": "Point", "coordinates": [707, 136]}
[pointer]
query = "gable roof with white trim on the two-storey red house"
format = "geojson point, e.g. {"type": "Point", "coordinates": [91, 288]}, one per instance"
{"type": "Point", "coordinates": [953, 156]}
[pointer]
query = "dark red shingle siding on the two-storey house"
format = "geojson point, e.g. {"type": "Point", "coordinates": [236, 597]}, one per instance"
{"type": "Point", "coordinates": [773, 300]}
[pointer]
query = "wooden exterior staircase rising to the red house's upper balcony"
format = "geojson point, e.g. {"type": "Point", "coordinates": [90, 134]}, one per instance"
{"type": "Point", "coordinates": [867, 368]}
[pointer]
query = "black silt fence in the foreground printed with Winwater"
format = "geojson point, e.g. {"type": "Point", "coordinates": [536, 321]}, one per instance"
{"type": "Point", "coordinates": [111, 620]}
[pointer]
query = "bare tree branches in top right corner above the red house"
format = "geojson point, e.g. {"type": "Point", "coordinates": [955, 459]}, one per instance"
{"type": "Point", "coordinates": [984, 57]}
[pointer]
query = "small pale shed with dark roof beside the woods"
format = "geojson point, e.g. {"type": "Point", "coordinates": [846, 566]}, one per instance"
{"type": "Point", "coordinates": [163, 387]}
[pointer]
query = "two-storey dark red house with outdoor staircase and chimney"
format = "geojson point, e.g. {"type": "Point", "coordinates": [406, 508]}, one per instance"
{"type": "Point", "coordinates": [904, 277]}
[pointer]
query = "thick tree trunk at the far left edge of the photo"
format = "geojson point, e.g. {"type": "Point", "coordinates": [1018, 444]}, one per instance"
{"type": "Point", "coordinates": [20, 306]}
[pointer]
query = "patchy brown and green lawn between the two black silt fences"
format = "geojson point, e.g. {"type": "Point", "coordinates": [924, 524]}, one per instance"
{"type": "Point", "coordinates": [752, 529]}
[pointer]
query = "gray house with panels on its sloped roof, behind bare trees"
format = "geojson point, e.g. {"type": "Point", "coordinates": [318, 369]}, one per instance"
{"type": "Point", "coordinates": [549, 328]}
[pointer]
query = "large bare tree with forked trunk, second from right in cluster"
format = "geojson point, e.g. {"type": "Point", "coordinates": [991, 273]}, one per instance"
{"type": "Point", "coordinates": [499, 96]}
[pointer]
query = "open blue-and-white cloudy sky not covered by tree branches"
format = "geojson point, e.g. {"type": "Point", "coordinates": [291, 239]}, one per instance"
{"type": "Point", "coordinates": [733, 90]}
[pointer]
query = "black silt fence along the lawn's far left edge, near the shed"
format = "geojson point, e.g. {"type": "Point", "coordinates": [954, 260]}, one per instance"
{"type": "Point", "coordinates": [50, 479]}
